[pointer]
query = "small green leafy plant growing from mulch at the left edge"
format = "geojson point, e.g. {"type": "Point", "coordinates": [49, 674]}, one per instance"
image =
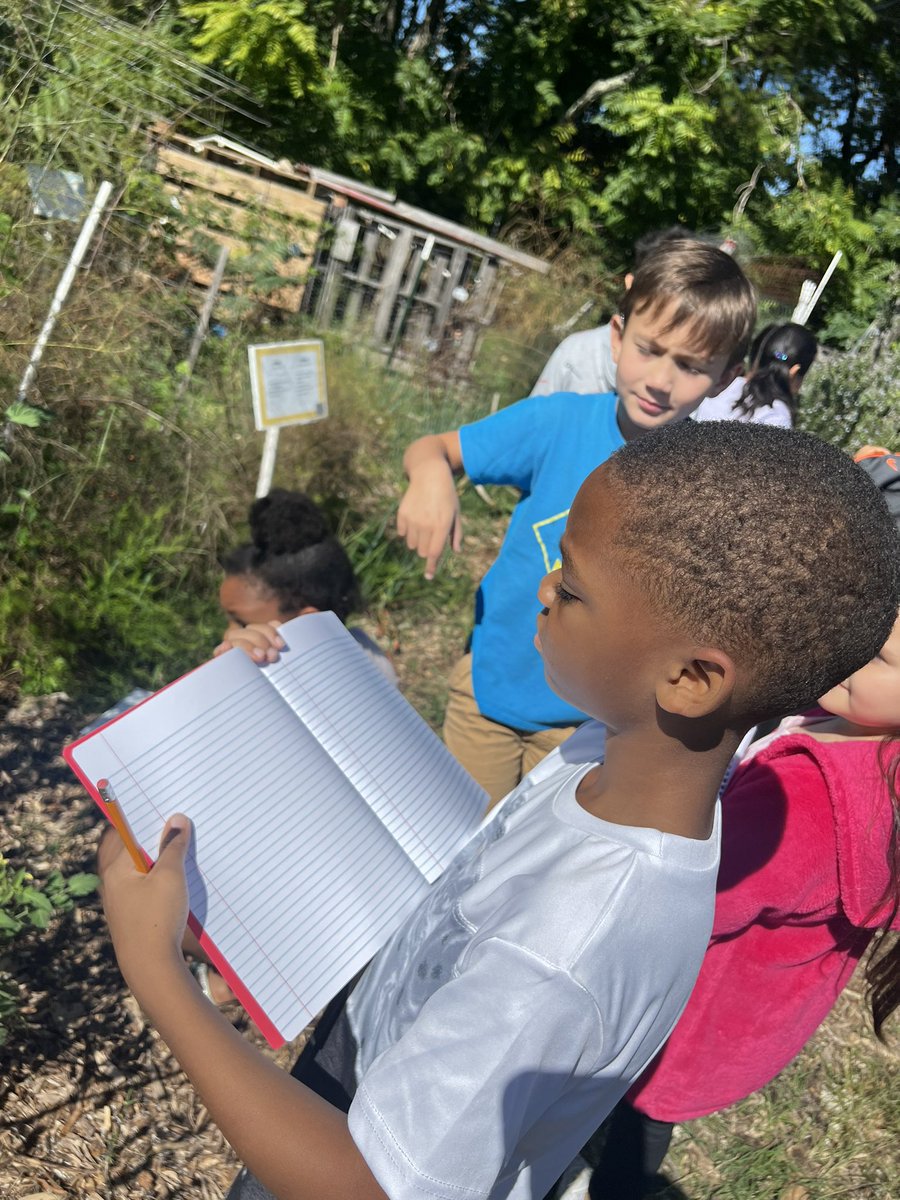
{"type": "Point", "coordinates": [27, 908]}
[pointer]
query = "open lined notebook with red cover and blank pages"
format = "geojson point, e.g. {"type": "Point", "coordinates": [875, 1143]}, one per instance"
{"type": "Point", "coordinates": [323, 808]}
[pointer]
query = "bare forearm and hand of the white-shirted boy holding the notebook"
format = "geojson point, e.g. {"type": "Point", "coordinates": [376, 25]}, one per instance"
{"type": "Point", "coordinates": [295, 1143]}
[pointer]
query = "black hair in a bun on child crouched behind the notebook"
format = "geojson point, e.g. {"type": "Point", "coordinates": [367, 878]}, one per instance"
{"type": "Point", "coordinates": [295, 557]}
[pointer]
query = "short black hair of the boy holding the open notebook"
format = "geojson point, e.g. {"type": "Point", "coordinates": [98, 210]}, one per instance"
{"type": "Point", "coordinates": [766, 543]}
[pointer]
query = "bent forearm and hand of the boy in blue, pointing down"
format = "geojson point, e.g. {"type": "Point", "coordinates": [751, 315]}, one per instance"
{"type": "Point", "coordinates": [429, 514]}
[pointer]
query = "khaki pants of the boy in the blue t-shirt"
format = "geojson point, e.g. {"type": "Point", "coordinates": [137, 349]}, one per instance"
{"type": "Point", "coordinates": [497, 757]}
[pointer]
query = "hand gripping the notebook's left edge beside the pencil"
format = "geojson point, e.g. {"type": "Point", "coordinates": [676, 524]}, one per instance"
{"type": "Point", "coordinates": [147, 914]}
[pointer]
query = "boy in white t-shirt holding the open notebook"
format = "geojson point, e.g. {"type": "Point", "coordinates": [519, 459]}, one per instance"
{"type": "Point", "coordinates": [548, 967]}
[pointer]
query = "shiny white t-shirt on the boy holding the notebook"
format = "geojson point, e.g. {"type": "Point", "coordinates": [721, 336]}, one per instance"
{"type": "Point", "coordinates": [512, 1012]}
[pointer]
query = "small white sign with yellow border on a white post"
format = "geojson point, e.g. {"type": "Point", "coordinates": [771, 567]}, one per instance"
{"type": "Point", "coordinates": [289, 385]}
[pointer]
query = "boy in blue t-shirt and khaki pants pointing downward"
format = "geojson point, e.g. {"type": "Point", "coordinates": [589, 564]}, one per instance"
{"type": "Point", "coordinates": [682, 337]}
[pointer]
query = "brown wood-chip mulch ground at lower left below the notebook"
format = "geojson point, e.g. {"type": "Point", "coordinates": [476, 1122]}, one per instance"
{"type": "Point", "coordinates": [92, 1103]}
